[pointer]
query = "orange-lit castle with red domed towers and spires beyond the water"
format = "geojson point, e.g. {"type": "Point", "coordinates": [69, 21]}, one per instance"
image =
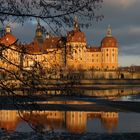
{"type": "Point", "coordinates": [70, 52]}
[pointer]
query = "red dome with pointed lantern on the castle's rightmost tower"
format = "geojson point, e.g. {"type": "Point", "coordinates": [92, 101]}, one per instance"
{"type": "Point", "coordinates": [109, 41]}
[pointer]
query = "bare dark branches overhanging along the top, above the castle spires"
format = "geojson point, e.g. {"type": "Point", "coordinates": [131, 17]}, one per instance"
{"type": "Point", "coordinates": [55, 13]}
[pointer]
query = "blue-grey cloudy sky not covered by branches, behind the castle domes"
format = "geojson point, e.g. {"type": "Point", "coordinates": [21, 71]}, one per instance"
{"type": "Point", "coordinates": [124, 18]}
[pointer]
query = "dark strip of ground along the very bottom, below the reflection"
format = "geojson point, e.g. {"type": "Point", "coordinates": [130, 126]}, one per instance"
{"type": "Point", "coordinates": [68, 136]}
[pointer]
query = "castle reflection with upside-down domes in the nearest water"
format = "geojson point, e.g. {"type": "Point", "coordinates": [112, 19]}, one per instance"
{"type": "Point", "coordinates": [72, 121]}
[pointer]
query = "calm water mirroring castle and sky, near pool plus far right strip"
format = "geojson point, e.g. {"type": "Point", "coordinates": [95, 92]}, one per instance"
{"type": "Point", "coordinates": [76, 121]}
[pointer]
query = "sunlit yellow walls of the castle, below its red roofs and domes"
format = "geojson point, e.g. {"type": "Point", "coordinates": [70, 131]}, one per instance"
{"type": "Point", "coordinates": [78, 57]}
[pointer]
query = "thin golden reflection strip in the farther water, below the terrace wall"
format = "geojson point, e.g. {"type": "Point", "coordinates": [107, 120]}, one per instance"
{"type": "Point", "coordinates": [112, 92]}
